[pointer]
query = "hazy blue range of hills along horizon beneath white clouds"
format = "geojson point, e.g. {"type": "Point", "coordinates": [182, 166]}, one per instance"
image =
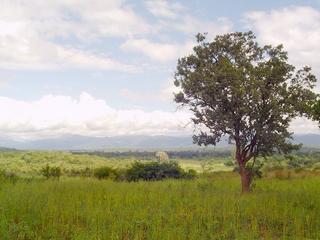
{"type": "Point", "coordinates": [75, 142]}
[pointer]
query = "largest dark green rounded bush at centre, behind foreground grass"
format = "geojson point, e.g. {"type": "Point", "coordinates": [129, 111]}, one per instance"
{"type": "Point", "coordinates": [156, 171]}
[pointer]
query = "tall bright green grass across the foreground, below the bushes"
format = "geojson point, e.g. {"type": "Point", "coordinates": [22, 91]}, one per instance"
{"type": "Point", "coordinates": [207, 208]}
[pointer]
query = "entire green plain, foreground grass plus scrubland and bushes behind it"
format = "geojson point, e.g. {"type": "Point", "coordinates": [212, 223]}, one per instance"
{"type": "Point", "coordinates": [95, 200]}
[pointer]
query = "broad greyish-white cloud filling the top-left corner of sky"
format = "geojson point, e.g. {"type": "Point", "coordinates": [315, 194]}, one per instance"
{"type": "Point", "coordinates": [81, 18]}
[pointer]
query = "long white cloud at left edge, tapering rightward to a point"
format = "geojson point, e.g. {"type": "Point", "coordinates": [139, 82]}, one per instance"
{"type": "Point", "coordinates": [34, 53]}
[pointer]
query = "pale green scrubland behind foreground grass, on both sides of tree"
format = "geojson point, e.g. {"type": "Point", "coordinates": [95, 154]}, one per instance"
{"type": "Point", "coordinates": [27, 164]}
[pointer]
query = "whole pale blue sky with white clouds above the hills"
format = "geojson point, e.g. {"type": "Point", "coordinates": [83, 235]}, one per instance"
{"type": "Point", "coordinates": [105, 67]}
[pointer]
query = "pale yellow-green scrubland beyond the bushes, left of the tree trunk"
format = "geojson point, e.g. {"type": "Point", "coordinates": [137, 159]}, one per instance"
{"type": "Point", "coordinates": [29, 164]}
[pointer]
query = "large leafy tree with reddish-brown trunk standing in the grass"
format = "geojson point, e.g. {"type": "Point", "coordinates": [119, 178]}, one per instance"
{"type": "Point", "coordinates": [249, 93]}
